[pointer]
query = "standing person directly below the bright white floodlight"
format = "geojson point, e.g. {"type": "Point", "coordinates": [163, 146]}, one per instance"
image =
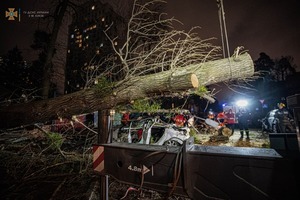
{"type": "Point", "coordinates": [243, 121]}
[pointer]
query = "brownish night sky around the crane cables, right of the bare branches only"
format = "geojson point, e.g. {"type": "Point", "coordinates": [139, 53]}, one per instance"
{"type": "Point", "coordinates": [270, 26]}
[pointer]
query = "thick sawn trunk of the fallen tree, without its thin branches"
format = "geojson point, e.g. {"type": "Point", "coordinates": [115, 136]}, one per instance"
{"type": "Point", "coordinates": [86, 101]}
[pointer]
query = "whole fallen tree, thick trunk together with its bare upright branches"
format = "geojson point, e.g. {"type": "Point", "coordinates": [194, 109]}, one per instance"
{"type": "Point", "coordinates": [174, 62]}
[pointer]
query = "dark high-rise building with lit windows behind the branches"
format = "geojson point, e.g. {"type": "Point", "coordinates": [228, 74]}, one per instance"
{"type": "Point", "coordinates": [88, 45]}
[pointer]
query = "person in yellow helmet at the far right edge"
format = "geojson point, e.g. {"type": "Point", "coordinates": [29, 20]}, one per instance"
{"type": "Point", "coordinates": [283, 119]}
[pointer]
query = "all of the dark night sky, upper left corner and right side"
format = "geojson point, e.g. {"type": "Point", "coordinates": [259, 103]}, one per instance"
{"type": "Point", "coordinates": [270, 26]}
